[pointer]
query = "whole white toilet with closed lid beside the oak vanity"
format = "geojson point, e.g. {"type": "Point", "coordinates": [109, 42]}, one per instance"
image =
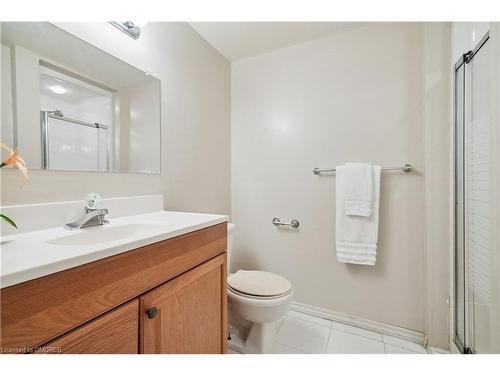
{"type": "Point", "coordinates": [257, 300]}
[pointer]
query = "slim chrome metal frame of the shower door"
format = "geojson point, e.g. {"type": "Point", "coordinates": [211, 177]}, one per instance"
{"type": "Point", "coordinates": [467, 346]}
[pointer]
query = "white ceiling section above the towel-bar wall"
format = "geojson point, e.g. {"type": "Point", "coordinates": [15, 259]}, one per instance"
{"type": "Point", "coordinates": [238, 40]}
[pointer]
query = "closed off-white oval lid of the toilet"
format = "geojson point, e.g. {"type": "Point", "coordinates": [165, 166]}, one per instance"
{"type": "Point", "coordinates": [259, 283]}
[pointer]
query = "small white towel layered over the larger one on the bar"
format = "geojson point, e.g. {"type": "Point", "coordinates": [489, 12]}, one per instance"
{"type": "Point", "coordinates": [359, 188]}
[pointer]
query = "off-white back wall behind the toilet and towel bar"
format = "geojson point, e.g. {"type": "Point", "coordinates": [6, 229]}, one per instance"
{"type": "Point", "coordinates": [356, 96]}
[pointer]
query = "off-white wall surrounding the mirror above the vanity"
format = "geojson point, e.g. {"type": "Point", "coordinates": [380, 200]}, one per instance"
{"type": "Point", "coordinates": [195, 127]}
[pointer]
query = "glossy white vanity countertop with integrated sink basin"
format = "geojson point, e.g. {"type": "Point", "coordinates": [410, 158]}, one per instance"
{"type": "Point", "coordinates": [31, 255]}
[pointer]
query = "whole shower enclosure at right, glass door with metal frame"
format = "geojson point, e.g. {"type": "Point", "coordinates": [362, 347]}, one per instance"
{"type": "Point", "coordinates": [476, 252]}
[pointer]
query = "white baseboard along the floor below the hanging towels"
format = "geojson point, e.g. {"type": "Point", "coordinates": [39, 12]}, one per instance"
{"type": "Point", "coordinates": [384, 328]}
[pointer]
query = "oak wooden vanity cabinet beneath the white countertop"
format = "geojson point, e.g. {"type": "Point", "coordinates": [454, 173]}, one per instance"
{"type": "Point", "coordinates": [100, 307]}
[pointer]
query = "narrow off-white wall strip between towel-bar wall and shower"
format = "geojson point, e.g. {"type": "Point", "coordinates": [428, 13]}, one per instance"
{"type": "Point", "coordinates": [438, 218]}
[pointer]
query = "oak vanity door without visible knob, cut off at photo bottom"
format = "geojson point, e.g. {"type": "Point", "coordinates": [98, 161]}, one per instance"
{"type": "Point", "coordinates": [114, 332]}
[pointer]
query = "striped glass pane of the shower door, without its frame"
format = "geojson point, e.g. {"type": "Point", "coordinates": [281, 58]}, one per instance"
{"type": "Point", "coordinates": [479, 203]}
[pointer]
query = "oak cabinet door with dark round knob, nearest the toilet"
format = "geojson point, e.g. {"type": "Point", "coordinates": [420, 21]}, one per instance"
{"type": "Point", "coordinates": [188, 313]}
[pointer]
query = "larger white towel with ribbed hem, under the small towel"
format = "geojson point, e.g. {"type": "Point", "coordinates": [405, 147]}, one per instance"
{"type": "Point", "coordinates": [356, 236]}
